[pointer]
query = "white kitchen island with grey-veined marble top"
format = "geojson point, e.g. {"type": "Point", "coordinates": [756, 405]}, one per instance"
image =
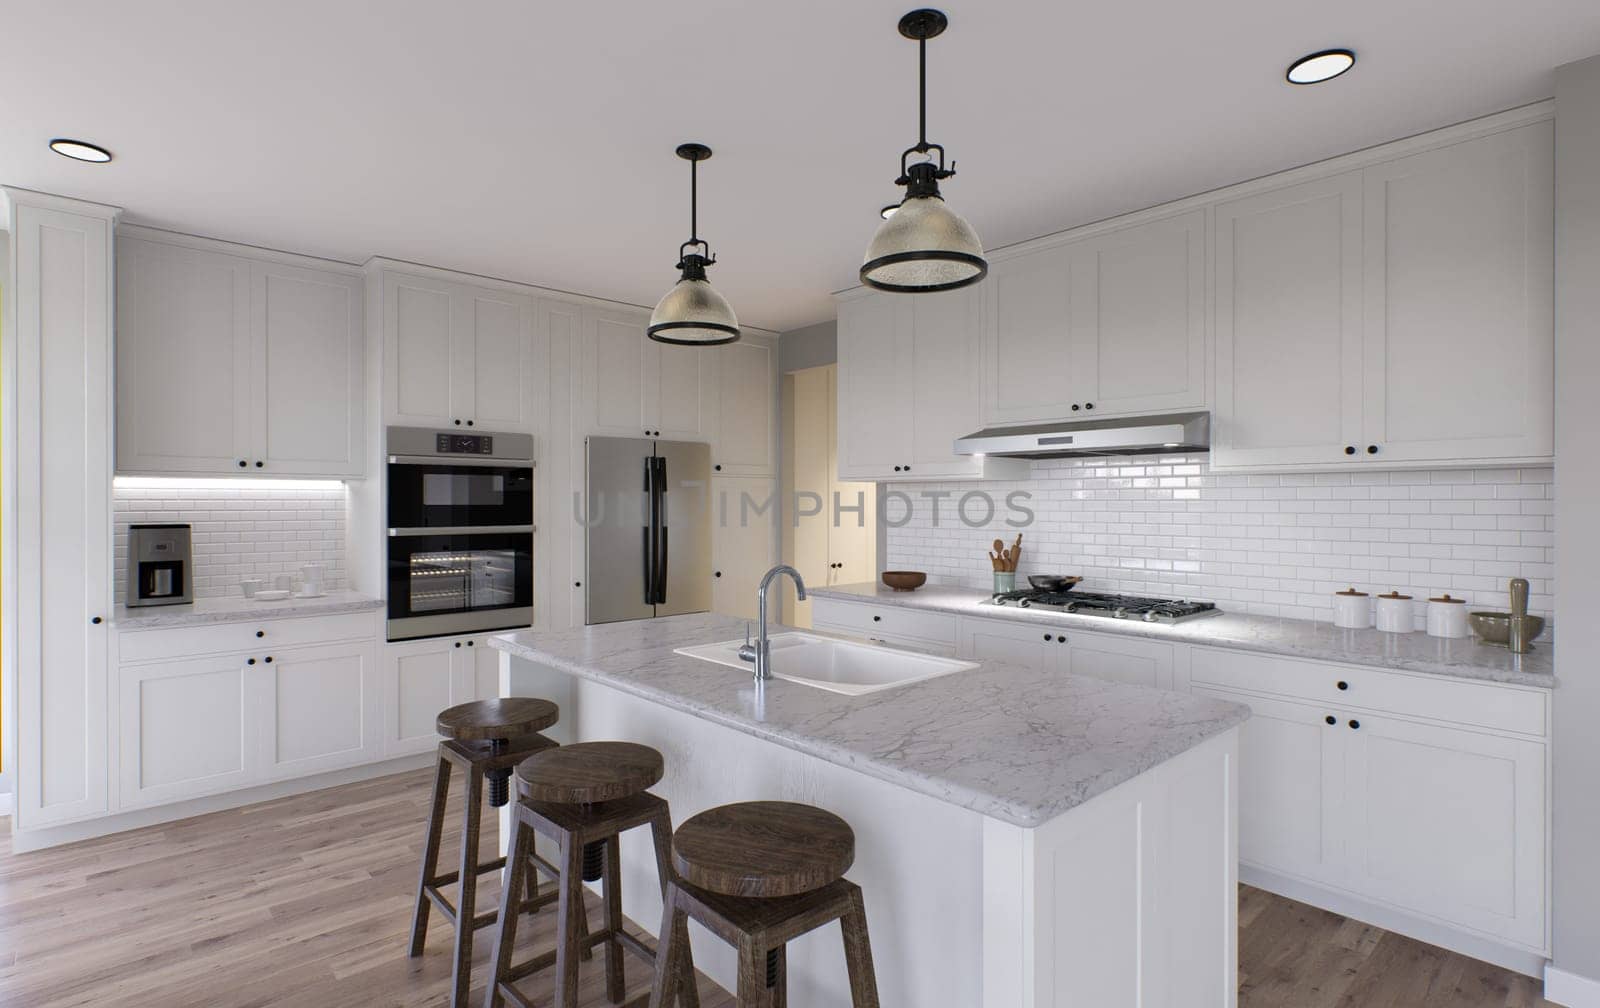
{"type": "Point", "coordinates": [1022, 838]}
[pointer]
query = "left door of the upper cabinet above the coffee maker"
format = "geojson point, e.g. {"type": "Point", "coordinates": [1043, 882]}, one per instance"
{"type": "Point", "coordinates": [183, 359]}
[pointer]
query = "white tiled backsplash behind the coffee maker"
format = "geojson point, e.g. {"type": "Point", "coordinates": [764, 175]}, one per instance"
{"type": "Point", "coordinates": [241, 529]}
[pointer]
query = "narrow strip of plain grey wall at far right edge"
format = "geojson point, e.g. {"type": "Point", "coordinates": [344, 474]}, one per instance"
{"type": "Point", "coordinates": [1577, 746]}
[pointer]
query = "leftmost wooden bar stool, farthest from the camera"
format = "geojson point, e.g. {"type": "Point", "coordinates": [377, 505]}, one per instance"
{"type": "Point", "coordinates": [486, 740]}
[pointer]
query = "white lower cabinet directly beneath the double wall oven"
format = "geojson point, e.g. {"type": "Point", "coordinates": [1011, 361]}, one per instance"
{"type": "Point", "coordinates": [423, 678]}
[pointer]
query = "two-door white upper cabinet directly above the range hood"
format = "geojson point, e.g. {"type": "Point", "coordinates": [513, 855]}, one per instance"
{"type": "Point", "coordinates": [1113, 324]}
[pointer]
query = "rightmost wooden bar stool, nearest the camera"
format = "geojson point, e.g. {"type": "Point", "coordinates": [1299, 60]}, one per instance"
{"type": "Point", "coordinates": [761, 874]}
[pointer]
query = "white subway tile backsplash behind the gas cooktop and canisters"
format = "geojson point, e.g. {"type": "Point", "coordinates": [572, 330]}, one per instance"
{"type": "Point", "coordinates": [1266, 545]}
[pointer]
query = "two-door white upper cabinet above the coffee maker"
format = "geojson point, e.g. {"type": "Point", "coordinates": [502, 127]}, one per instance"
{"type": "Point", "coordinates": [238, 366]}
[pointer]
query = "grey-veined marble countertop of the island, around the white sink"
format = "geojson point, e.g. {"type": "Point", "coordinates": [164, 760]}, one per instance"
{"type": "Point", "coordinates": [1001, 740]}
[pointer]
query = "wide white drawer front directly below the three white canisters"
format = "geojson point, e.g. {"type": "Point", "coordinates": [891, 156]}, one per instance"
{"type": "Point", "coordinates": [1458, 702]}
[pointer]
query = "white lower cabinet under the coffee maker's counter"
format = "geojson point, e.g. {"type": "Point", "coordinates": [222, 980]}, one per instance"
{"type": "Point", "coordinates": [194, 727]}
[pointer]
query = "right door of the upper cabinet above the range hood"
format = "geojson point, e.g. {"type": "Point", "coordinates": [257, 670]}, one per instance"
{"type": "Point", "coordinates": [1146, 346]}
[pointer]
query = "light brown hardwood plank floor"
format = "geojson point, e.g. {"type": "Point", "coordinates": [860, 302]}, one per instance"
{"type": "Point", "coordinates": [308, 902]}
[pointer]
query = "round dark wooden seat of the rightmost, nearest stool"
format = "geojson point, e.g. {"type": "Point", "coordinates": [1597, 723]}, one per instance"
{"type": "Point", "coordinates": [764, 849]}
